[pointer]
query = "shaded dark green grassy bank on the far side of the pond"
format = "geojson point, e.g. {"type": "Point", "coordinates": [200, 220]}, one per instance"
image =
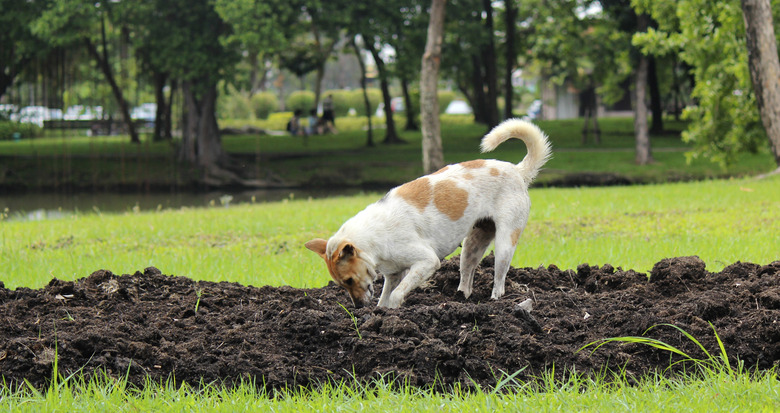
{"type": "Point", "coordinates": [62, 161]}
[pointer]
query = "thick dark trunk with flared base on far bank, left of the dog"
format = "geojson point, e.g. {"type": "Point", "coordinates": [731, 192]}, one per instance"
{"type": "Point", "coordinates": [201, 143]}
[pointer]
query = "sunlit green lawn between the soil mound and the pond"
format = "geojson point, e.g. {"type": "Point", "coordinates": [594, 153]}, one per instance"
{"type": "Point", "coordinates": [633, 227]}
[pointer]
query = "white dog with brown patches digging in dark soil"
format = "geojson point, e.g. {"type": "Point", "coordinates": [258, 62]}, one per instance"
{"type": "Point", "coordinates": [405, 235]}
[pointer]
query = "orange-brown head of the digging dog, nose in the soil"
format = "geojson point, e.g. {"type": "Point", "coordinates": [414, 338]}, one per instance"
{"type": "Point", "coordinates": [349, 268]}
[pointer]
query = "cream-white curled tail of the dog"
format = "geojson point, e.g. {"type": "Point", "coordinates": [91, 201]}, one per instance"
{"type": "Point", "coordinates": [539, 150]}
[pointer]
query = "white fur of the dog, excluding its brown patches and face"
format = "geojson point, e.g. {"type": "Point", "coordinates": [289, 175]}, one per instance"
{"type": "Point", "coordinates": [406, 244]}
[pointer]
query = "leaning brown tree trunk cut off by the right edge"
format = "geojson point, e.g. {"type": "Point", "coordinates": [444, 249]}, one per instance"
{"type": "Point", "coordinates": [764, 67]}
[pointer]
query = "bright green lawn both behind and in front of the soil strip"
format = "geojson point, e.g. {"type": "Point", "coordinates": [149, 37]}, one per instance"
{"type": "Point", "coordinates": [261, 244]}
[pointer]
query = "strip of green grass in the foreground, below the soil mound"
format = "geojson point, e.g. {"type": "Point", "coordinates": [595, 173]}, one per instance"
{"type": "Point", "coordinates": [715, 391]}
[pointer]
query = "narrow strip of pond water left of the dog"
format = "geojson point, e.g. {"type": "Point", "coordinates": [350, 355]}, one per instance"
{"type": "Point", "coordinates": [41, 206]}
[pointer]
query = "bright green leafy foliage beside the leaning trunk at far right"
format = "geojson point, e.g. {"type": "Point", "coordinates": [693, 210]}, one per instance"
{"type": "Point", "coordinates": [710, 37]}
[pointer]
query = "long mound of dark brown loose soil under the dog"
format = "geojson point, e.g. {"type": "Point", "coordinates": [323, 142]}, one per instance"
{"type": "Point", "coordinates": [163, 327]}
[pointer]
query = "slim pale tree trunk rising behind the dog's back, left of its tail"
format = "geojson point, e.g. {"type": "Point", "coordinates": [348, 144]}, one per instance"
{"type": "Point", "coordinates": [433, 154]}
